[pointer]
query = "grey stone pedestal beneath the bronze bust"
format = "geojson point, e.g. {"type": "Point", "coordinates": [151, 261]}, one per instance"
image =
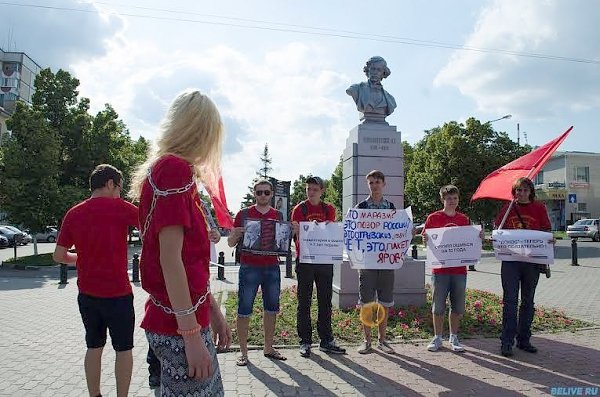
{"type": "Point", "coordinates": [376, 146]}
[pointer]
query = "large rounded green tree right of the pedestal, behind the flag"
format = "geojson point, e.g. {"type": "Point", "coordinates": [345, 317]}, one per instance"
{"type": "Point", "coordinates": [461, 155]}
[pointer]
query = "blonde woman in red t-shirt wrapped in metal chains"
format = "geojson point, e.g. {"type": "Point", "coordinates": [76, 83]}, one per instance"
{"type": "Point", "coordinates": [181, 312]}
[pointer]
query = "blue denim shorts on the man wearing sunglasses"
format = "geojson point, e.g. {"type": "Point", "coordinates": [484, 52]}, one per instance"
{"type": "Point", "coordinates": [269, 280]}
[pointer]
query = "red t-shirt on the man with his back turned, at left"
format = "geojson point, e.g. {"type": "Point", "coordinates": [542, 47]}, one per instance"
{"type": "Point", "coordinates": [98, 228]}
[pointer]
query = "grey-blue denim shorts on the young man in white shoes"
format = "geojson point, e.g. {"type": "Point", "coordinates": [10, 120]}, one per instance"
{"type": "Point", "coordinates": [448, 284]}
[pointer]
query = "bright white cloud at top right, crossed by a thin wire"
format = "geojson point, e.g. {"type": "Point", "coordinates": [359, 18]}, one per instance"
{"type": "Point", "coordinates": [529, 87]}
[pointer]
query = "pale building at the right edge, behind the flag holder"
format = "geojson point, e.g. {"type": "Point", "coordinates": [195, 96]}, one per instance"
{"type": "Point", "coordinates": [569, 185]}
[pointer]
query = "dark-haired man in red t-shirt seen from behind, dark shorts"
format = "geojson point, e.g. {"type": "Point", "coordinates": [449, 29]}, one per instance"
{"type": "Point", "coordinates": [98, 228]}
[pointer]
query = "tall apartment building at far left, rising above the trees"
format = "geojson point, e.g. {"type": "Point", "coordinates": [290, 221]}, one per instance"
{"type": "Point", "coordinates": [17, 77]}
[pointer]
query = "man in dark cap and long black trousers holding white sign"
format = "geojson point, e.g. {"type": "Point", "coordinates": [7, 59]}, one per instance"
{"type": "Point", "coordinates": [313, 209]}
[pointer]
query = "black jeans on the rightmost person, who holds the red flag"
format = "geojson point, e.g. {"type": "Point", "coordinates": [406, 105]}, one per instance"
{"type": "Point", "coordinates": [514, 275]}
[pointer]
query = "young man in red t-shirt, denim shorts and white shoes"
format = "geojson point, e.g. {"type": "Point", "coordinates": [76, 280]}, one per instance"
{"type": "Point", "coordinates": [450, 281]}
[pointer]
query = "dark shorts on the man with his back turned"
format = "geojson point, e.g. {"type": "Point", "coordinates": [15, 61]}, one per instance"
{"type": "Point", "coordinates": [113, 314]}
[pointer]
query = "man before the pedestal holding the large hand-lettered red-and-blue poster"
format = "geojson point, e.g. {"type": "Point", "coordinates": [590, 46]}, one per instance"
{"type": "Point", "coordinates": [372, 282]}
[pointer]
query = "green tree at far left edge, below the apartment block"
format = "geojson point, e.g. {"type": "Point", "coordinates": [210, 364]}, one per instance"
{"type": "Point", "coordinates": [29, 178]}
